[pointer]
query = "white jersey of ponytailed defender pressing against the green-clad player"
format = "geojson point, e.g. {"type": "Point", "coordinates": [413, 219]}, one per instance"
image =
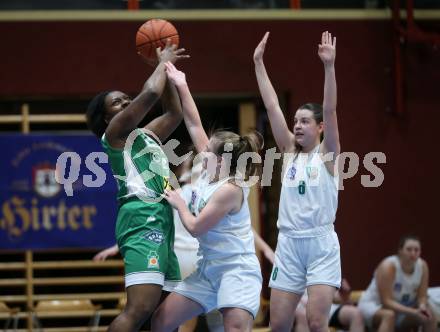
{"type": "Point", "coordinates": [232, 235]}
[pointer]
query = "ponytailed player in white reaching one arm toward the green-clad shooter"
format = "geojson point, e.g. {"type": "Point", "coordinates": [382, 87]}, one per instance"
{"type": "Point", "coordinates": [228, 277]}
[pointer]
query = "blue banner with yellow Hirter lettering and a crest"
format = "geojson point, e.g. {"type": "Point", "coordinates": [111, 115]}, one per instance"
{"type": "Point", "coordinates": [35, 210]}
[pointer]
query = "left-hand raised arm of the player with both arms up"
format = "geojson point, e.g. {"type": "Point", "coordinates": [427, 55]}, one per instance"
{"type": "Point", "coordinates": [283, 136]}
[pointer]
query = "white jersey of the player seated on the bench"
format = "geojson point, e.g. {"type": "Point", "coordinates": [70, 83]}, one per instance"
{"type": "Point", "coordinates": [405, 286]}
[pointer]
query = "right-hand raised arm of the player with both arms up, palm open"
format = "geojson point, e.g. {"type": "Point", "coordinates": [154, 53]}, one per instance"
{"type": "Point", "coordinates": [327, 54]}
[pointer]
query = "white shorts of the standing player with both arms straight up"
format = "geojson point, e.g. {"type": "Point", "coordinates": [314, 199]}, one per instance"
{"type": "Point", "coordinates": [303, 262]}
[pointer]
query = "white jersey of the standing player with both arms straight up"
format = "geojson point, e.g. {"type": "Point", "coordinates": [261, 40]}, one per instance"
{"type": "Point", "coordinates": [309, 196]}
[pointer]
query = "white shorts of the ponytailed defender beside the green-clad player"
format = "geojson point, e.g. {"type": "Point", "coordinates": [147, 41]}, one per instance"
{"type": "Point", "coordinates": [226, 283]}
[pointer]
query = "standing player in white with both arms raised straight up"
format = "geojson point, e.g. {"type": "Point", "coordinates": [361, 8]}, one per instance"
{"type": "Point", "coordinates": [307, 253]}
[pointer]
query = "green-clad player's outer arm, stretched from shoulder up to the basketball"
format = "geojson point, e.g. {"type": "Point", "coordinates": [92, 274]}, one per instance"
{"type": "Point", "coordinates": [123, 123]}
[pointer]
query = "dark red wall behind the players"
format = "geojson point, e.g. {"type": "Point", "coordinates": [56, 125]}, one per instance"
{"type": "Point", "coordinates": [72, 58]}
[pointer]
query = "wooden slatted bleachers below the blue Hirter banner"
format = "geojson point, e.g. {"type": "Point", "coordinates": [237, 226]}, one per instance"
{"type": "Point", "coordinates": [40, 291]}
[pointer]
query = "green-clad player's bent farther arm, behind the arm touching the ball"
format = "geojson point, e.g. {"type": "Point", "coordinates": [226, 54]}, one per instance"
{"type": "Point", "coordinates": [164, 125]}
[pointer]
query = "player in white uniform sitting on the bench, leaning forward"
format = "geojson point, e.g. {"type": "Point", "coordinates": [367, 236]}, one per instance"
{"type": "Point", "coordinates": [396, 298]}
